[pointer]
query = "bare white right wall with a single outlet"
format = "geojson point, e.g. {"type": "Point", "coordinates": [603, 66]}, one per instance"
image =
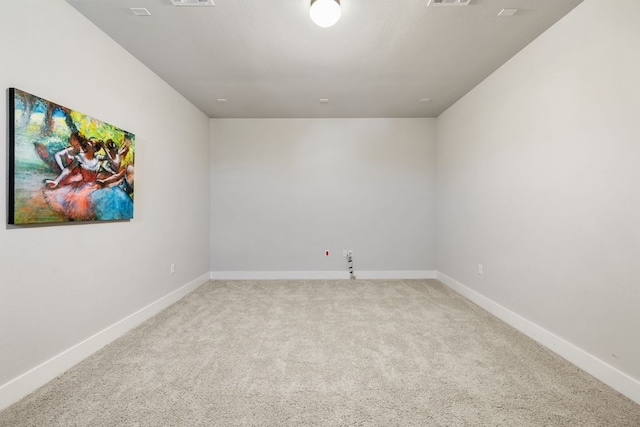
{"type": "Point", "coordinates": [539, 181]}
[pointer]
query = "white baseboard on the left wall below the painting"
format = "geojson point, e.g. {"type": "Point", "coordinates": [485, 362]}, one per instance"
{"type": "Point", "coordinates": [28, 382]}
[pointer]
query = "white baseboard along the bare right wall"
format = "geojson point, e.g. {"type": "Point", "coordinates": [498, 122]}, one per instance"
{"type": "Point", "coordinates": [601, 370]}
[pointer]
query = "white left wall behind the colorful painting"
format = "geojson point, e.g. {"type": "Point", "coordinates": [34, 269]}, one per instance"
{"type": "Point", "coordinates": [61, 284]}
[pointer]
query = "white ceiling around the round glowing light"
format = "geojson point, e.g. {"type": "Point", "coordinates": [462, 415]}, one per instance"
{"type": "Point", "coordinates": [267, 59]}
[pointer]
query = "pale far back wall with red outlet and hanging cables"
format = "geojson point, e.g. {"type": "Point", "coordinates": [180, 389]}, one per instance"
{"type": "Point", "coordinates": [283, 191]}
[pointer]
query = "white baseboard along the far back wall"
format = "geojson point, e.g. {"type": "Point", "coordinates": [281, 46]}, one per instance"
{"type": "Point", "coordinates": [320, 275]}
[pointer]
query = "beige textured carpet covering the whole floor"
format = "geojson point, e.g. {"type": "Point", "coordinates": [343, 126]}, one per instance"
{"type": "Point", "coordinates": [334, 353]}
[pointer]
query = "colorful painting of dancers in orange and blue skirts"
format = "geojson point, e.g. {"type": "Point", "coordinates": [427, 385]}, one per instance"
{"type": "Point", "coordinates": [66, 166]}
